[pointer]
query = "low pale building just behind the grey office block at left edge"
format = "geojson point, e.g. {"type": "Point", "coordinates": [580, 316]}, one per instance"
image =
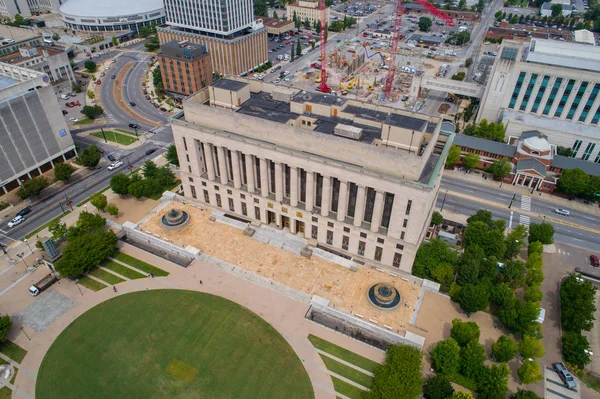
{"type": "Point", "coordinates": [53, 62]}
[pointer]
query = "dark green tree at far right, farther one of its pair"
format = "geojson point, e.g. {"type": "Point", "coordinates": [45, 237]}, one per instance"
{"type": "Point", "coordinates": [577, 304]}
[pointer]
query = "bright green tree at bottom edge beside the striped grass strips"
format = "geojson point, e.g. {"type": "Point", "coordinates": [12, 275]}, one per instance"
{"type": "Point", "coordinates": [400, 376]}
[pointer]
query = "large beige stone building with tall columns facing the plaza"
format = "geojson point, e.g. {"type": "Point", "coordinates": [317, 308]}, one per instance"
{"type": "Point", "coordinates": [357, 179]}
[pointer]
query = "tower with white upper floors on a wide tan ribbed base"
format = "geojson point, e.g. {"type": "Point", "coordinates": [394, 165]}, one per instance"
{"type": "Point", "coordinates": [236, 42]}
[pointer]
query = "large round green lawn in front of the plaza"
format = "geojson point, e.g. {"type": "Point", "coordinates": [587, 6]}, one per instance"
{"type": "Point", "coordinates": [171, 344]}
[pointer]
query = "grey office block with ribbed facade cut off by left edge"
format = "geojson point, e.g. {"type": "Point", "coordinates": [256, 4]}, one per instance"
{"type": "Point", "coordinates": [33, 131]}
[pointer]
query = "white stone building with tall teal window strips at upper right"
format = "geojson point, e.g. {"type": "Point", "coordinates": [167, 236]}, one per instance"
{"type": "Point", "coordinates": [549, 86]}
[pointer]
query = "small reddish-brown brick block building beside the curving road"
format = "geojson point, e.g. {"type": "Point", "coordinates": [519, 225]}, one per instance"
{"type": "Point", "coordinates": [185, 67]}
